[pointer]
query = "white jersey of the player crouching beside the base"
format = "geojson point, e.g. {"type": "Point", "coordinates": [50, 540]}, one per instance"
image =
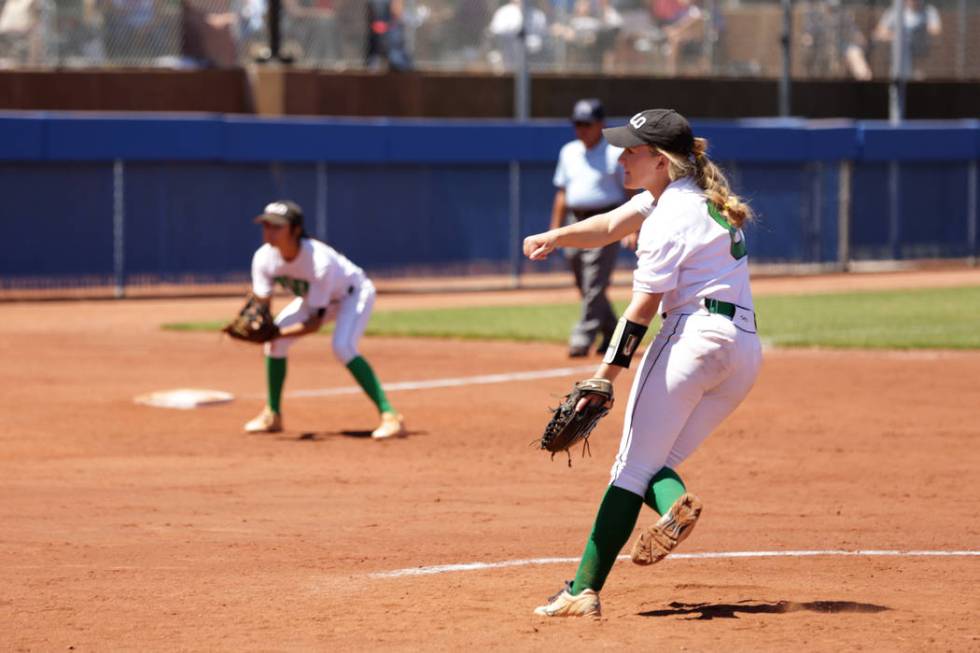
{"type": "Point", "coordinates": [319, 273]}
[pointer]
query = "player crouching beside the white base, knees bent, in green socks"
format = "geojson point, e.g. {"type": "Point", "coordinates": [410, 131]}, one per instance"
{"type": "Point", "coordinates": [327, 286]}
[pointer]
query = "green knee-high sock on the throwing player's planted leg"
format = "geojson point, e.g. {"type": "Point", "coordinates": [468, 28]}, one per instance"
{"type": "Point", "coordinates": [613, 525]}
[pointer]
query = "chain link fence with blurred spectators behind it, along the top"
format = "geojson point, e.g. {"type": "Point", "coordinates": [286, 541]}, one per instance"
{"type": "Point", "coordinates": [829, 39]}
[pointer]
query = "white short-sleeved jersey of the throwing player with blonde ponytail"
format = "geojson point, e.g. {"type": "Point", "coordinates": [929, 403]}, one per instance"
{"type": "Point", "coordinates": [687, 250]}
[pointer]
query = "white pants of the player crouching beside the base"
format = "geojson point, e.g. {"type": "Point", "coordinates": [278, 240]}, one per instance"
{"type": "Point", "coordinates": [350, 313]}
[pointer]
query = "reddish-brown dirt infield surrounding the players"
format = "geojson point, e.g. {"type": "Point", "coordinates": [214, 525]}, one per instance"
{"type": "Point", "coordinates": [126, 527]}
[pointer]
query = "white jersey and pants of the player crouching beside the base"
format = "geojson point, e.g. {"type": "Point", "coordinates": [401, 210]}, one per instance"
{"type": "Point", "coordinates": [320, 278]}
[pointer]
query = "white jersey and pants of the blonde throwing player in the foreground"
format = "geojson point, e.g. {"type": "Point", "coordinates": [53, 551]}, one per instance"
{"type": "Point", "coordinates": [701, 365]}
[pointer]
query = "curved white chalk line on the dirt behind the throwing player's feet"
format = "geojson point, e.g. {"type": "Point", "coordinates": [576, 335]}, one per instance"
{"type": "Point", "coordinates": [473, 566]}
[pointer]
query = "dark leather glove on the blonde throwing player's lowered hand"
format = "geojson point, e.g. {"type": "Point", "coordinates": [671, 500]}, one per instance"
{"type": "Point", "coordinates": [567, 426]}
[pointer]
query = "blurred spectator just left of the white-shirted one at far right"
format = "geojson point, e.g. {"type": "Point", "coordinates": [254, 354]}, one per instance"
{"type": "Point", "coordinates": [832, 42]}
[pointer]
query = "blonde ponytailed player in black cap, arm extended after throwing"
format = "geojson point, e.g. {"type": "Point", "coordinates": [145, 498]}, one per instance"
{"type": "Point", "coordinates": [693, 270]}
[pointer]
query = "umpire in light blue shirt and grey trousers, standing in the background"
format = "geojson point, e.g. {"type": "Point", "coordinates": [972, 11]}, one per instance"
{"type": "Point", "coordinates": [589, 181]}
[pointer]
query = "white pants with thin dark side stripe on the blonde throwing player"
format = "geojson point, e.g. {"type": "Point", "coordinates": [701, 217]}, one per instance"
{"type": "Point", "coordinates": [698, 369]}
